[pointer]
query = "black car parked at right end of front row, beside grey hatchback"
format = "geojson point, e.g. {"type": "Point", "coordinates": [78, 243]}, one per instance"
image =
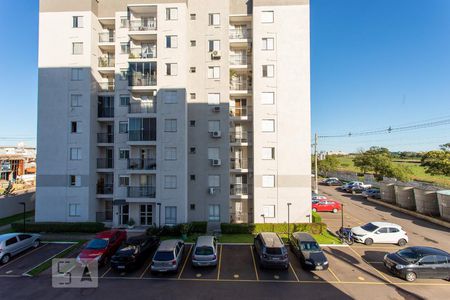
{"type": "Point", "coordinates": [308, 251]}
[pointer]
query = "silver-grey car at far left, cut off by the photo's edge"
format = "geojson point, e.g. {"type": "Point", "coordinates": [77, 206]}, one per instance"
{"type": "Point", "coordinates": [12, 244]}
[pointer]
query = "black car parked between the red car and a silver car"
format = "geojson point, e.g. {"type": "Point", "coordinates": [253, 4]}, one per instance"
{"type": "Point", "coordinates": [136, 250]}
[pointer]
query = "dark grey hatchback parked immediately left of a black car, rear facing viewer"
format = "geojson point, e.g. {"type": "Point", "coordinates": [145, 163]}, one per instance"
{"type": "Point", "coordinates": [271, 250]}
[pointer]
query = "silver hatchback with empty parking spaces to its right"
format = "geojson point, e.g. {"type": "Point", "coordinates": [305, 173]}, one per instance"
{"type": "Point", "coordinates": [205, 252]}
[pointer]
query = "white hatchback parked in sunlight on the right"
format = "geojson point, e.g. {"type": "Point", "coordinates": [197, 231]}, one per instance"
{"type": "Point", "coordinates": [380, 232]}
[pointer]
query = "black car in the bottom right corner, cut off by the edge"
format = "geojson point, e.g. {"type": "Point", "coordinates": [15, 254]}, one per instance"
{"type": "Point", "coordinates": [419, 262]}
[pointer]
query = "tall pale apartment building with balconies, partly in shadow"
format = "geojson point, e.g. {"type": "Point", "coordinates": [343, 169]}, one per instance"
{"type": "Point", "coordinates": [170, 111]}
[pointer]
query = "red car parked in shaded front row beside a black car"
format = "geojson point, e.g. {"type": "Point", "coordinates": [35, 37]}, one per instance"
{"type": "Point", "coordinates": [102, 247]}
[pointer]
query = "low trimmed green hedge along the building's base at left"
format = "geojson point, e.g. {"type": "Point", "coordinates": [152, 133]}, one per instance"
{"type": "Point", "coordinates": [86, 227]}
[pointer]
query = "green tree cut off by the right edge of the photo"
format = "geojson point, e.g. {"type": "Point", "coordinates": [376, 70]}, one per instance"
{"type": "Point", "coordinates": [437, 162]}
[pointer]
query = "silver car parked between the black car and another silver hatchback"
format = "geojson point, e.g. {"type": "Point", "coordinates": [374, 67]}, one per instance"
{"type": "Point", "coordinates": [168, 256]}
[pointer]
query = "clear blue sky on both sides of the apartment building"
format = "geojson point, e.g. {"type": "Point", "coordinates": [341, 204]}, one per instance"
{"type": "Point", "coordinates": [374, 64]}
